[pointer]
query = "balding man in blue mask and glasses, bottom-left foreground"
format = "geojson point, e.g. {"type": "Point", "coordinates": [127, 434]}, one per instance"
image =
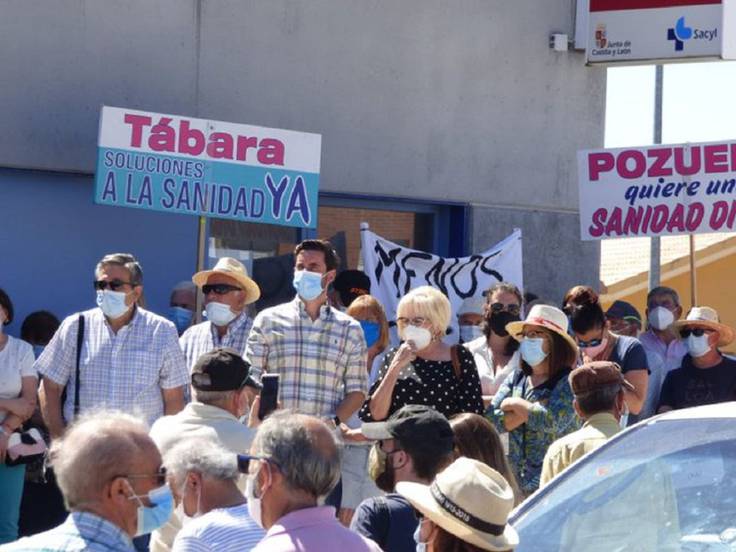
{"type": "Point", "coordinates": [110, 474]}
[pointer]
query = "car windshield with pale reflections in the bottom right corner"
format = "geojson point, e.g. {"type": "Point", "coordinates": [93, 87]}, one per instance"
{"type": "Point", "coordinates": [666, 486]}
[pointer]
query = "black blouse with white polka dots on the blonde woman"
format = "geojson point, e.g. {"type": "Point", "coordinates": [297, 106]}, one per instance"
{"type": "Point", "coordinates": [433, 383]}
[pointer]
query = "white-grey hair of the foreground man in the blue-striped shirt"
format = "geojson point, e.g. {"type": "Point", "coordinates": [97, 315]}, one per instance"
{"type": "Point", "coordinates": [201, 455]}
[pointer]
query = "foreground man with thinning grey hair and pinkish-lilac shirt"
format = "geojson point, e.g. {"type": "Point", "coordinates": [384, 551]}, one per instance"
{"type": "Point", "coordinates": [295, 462]}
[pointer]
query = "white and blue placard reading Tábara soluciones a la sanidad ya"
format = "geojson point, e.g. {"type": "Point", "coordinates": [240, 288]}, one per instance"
{"type": "Point", "coordinates": [207, 168]}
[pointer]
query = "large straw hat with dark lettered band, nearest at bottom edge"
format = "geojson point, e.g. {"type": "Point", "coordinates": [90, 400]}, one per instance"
{"type": "Point", "coordinates": [470, 500]}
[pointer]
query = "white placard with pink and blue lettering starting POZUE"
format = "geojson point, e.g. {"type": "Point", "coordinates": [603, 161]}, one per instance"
{"type": "Point", "coordinates": [657, 190]}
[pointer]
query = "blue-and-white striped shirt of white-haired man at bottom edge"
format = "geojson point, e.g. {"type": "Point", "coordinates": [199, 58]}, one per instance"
{"type": "Point", "coordinates": [221, 529]}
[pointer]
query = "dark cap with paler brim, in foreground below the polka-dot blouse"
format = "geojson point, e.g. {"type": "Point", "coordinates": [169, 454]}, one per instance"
{"type": "Point", "coordinates": [417, 427]}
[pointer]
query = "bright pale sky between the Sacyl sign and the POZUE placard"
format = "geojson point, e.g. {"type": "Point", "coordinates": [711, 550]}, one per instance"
{"type": "Point", "coordinates": [698, 104]}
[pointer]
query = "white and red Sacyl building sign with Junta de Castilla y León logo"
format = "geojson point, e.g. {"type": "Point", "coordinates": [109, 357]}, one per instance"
{"type": "Point", "coordinates": [642, 31]}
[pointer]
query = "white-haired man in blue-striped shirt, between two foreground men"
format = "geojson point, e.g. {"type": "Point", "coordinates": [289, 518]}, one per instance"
{"type": "Point", "coordinates": [203, 475]}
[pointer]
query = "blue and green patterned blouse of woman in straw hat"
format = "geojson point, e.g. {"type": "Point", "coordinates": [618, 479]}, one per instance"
{"type": "Point", "coordinates": [551, 416]}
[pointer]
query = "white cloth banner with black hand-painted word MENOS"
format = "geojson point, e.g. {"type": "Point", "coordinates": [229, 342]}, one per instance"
{"type": "Point", "coordinates": [395, 269]}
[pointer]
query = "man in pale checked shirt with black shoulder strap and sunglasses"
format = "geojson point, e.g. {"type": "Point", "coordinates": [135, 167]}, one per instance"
{"type": "Point", "coordinates": [129, 360]}
